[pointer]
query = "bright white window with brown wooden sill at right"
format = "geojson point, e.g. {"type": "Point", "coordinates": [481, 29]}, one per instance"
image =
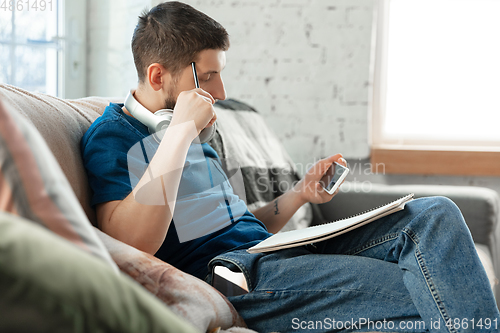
{"type": "Point", "coordinates": [436, 98]}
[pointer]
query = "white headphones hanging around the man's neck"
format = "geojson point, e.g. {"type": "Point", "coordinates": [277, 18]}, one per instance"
{"type": "Point", "coordinates": [159, 121]}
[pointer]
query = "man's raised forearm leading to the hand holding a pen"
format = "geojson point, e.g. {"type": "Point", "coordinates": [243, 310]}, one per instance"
{"type": "Point", "coordinates": [143, 218]}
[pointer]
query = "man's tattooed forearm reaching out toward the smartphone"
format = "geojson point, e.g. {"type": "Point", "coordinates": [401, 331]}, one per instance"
{"type": "Point", "coordinates": [279, 211]}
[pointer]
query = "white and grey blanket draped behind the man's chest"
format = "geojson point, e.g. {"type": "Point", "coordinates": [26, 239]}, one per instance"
{"type": "Point", "coordinates": [245, 142]}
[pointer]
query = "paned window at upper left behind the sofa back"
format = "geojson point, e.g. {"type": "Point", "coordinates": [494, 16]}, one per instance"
{"type": "Point", "coordinates": [41, 45]}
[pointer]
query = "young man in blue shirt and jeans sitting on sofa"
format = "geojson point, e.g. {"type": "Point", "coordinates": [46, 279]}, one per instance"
{"type": "Point", "coordinates": [408, 272]}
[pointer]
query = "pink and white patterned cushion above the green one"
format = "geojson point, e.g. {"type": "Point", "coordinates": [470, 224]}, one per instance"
{"type": "Point", "coordinates": [32, 185]}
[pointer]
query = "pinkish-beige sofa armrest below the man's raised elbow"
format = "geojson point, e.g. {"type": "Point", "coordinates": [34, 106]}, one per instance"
{"type": "Point", "coordinates": [187, 296]}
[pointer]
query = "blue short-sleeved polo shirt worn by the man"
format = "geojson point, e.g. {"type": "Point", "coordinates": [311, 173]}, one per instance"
{"type": "Point", "coordinates": [209, 218]}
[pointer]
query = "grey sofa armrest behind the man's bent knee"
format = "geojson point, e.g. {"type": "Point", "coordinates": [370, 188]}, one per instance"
{"type": "Point", "coordinates": [479, 206]}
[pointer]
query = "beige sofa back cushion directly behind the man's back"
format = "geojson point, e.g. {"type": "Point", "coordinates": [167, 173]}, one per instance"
{"type": "Point", "coordinates": [62, 124]}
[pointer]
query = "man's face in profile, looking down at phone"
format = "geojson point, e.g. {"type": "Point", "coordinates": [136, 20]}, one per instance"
{"type": "Point", "coordinates": [209, 66]}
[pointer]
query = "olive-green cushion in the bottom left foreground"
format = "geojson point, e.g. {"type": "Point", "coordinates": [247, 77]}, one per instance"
{"type": "Point", "coordinates": [48, 285]}
